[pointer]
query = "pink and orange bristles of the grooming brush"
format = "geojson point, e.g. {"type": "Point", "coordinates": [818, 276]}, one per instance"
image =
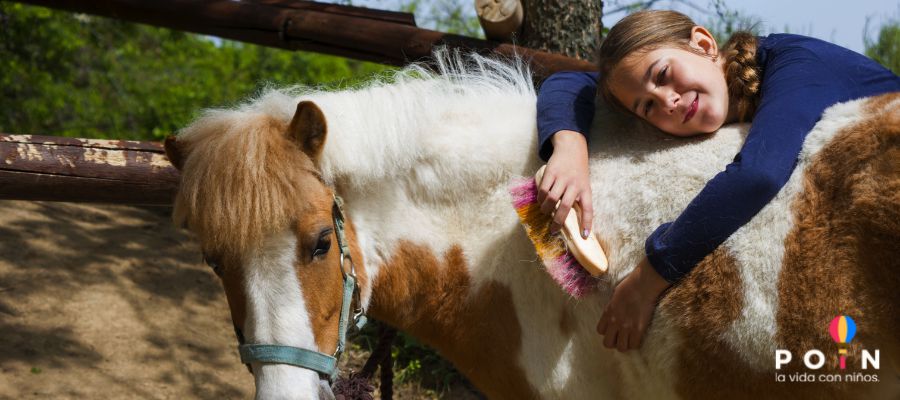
{"type": "Point", "coordinates": [560, 264]}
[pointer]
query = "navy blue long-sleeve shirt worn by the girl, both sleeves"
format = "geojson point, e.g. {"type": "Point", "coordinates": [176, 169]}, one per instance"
{"type": "Point", "coordinates": [801, 77]}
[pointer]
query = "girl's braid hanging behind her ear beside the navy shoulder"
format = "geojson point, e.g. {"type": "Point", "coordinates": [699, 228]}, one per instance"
{"type": "Point", "coordinates": [742, 74]}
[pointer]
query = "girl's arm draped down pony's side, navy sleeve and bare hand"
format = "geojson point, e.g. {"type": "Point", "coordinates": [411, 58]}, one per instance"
{"type": "Point", "coordinates": [797, 87]}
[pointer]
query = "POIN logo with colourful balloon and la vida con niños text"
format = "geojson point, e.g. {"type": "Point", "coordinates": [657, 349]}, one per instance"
{"type": "Point", "coordinates": [842, 329]}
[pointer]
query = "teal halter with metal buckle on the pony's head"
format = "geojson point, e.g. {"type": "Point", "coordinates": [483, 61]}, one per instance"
{"type": "Point", "coordinates": [324, 364]}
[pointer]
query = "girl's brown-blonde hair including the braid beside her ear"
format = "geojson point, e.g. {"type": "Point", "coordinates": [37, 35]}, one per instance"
{"type": "Point", "coordinates": [648, 30]}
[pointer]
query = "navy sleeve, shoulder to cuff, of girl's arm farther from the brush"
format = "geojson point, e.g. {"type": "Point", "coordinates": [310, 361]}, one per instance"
{"type": "Point", "coordinates": [797, 88]}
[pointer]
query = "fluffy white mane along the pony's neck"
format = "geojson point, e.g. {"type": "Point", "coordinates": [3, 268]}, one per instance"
{"type": "Point", "coordinates": [421, 115]}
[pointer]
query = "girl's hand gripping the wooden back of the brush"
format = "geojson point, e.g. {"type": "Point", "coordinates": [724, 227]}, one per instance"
{"type": "Point", "coordinates": [566, 181]}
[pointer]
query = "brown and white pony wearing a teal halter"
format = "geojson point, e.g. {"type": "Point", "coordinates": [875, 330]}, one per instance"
{"type": "Point", "coordinates": [422, 161]}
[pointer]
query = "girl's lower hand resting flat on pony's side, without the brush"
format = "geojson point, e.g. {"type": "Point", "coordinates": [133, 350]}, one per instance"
{"type": "Point", "coordinates": [630, 309]}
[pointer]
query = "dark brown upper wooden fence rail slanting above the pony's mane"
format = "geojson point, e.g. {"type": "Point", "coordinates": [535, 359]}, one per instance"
{"type": "Point", "coordinates": [354, 32]}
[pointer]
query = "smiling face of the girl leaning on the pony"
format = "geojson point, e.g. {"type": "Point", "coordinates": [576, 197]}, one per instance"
{"type": "Point", "coordinates": [678, 91]}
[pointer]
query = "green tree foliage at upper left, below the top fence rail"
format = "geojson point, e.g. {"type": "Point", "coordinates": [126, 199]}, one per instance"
{"type": "Point", "coordinates": [77, 75]}
